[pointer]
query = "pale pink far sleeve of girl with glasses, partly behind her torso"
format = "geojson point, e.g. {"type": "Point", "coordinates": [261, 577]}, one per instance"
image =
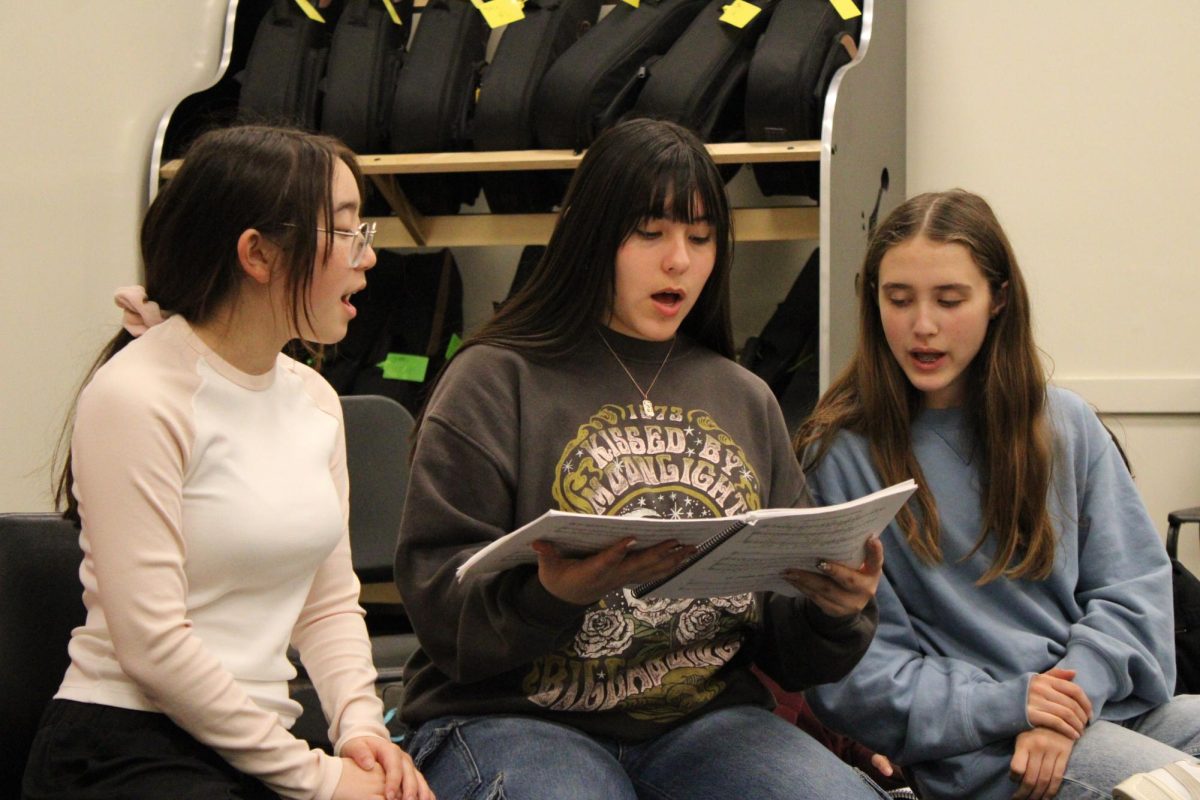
{"type": "Point", "coordinates": [332, 635]}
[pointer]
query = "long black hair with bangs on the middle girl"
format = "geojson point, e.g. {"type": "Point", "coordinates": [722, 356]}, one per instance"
{"type": "Point", "coordinates": [637, 171]}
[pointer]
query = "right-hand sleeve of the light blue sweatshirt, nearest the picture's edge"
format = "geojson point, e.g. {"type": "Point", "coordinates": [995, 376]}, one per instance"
{"type": "Point", "coordinates": [1123, 647]}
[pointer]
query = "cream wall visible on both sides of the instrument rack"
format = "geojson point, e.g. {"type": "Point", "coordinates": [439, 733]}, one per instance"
{"type": "Point", "coordinates": [1076, 119]}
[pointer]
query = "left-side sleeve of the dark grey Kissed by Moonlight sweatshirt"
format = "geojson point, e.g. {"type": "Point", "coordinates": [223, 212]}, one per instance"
{"type": "Point", "coordinates": [461, 498]}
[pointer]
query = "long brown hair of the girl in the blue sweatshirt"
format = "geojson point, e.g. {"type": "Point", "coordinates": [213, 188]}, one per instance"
{"type": "Point", "coordinates": [1005, 401]}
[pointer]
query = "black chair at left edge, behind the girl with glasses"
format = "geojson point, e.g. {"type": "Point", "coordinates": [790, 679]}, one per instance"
{"type": "Point", "coordinates": [41, 601]}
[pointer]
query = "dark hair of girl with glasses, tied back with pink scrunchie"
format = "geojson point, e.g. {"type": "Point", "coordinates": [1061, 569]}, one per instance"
{"type": "Point", "coordinates": [278, 182]}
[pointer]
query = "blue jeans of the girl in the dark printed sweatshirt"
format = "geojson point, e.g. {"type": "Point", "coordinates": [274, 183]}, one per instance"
{"type": "Point", "coordinates": [735, 753]}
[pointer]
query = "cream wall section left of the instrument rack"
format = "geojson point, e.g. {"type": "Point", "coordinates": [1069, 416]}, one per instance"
{"type": "Point", "coordinates": [86, 86]}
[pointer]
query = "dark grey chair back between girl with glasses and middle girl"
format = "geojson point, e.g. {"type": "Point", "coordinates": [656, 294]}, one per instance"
{"type": "Point", "coordinates": [377, 441]}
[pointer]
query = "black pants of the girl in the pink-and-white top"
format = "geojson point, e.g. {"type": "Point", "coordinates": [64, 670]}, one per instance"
{"type": "Point", "coordinates": [87, 751]}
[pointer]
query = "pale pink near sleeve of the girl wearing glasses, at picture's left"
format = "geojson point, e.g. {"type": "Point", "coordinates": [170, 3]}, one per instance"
{"type": "Point", "coordinates": [129, 460]}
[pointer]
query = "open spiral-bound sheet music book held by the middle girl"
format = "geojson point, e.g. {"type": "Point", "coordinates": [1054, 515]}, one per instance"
{"type": "Point", "coordinates": [735, 555]}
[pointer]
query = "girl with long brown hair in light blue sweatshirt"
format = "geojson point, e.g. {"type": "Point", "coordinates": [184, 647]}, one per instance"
{"type": "Point", "coordinates": [1025, 646]}
